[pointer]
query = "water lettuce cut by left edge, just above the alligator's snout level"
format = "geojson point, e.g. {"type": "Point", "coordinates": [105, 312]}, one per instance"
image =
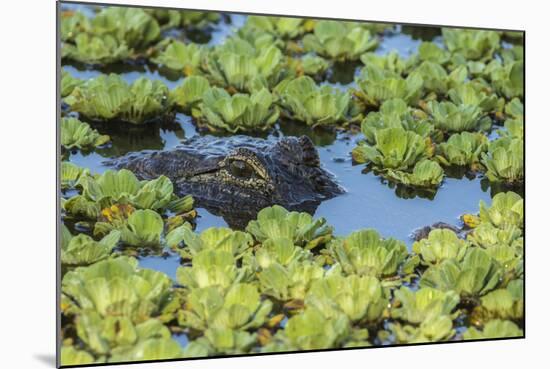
{"type": "Point", "coordinates": [77, 134]}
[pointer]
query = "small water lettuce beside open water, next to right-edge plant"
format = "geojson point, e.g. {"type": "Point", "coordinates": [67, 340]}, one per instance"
{"type": "Point", "coordinates": [462, 149]}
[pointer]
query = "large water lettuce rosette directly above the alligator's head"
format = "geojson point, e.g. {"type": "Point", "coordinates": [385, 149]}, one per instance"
{"type": "Point", "coordinates": [240, 112]}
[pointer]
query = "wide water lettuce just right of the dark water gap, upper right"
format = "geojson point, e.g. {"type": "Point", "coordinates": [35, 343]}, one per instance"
{"type": "Point", "coordinates": [376, 85]}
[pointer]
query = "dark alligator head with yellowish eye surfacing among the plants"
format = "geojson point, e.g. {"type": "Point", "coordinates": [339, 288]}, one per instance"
{"type": "Point", "coordinates": [237, 176]}
